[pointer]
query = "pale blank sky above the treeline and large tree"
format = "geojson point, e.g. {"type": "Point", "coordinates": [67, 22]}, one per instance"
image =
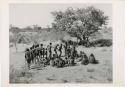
{"type": "Point", "coordinates": [23, 15]}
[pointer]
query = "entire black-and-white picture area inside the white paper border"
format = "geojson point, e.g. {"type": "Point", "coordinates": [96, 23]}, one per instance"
{"type": "Point", "coordinates": [60, 43]}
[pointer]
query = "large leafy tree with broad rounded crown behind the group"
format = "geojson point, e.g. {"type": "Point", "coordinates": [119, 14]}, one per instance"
{"type": "Point", "coordinates": [80, 22]}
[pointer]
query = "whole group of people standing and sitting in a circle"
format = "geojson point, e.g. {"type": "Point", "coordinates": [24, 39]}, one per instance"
{"type": "Point", "coordinates": [53, 55]}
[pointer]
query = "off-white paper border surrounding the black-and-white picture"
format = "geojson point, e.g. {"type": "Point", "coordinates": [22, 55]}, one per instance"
{"type": "Point", "coordinates": [118, 42]}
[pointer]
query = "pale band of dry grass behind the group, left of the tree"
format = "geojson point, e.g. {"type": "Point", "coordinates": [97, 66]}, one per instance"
{"type": "Point", "coordinates": [37, 37]}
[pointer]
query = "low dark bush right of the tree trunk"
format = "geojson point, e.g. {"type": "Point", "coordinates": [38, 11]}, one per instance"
{"type": "Point", "coordinates": [101, 43]}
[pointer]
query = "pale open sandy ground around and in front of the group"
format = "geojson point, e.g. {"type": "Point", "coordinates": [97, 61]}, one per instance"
{"type": "Point", "coordinates": [91, 73]}
